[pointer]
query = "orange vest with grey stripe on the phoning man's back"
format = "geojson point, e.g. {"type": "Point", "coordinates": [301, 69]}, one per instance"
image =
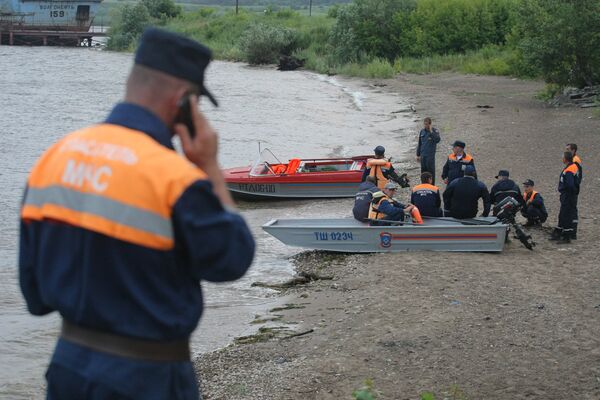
{"type": "Point", "coordinates": [110, 180]}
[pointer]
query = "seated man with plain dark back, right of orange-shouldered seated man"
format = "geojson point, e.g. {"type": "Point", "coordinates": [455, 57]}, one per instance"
{"type": "Point", "coordinates": [461, 197]}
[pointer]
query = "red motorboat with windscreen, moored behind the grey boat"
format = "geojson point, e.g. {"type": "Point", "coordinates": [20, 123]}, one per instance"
{"type": "Point", "coordinates": [298, 178]}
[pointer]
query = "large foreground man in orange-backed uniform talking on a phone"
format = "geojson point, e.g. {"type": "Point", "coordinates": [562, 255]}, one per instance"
{"type": "Point", "coordinates": [118, 231]}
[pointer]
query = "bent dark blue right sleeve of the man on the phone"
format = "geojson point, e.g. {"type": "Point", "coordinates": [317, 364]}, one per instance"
{"type": "Point", "coordinates": [215, 243]}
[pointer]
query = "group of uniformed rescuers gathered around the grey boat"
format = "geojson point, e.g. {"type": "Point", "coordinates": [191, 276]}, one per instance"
{"type": "Point", "coordinates": [375, 203]}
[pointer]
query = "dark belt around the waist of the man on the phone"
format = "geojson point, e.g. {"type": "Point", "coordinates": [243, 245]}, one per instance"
{"type": "Point", "coordinates": [123, 346]}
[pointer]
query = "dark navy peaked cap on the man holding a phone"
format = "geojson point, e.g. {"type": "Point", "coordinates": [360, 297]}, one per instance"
{"type": "Point", "coordinates": [175, 55]}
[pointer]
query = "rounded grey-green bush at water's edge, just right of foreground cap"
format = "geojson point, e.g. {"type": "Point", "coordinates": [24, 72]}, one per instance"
{"type": "Point", "coordinates": [264, 44]}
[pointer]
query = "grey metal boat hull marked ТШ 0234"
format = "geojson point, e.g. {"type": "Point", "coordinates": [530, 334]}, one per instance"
{"type": "Point", "coordinates": [351, 236]}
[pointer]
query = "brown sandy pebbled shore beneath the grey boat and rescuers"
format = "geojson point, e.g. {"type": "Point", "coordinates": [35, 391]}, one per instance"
{"type": "Point", "coordinates": [516, 325]}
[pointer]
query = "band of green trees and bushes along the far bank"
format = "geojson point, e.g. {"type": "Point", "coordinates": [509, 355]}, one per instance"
{"type": "Point", "coordinates": [557, 40]}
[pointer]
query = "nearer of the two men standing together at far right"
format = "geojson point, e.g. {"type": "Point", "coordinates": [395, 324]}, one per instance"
{"type": "Point", "coordinates": [568, 187]}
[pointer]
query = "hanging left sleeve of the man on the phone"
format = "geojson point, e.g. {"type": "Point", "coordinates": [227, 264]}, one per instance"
{"type": "Point", "coordinates": [27, 270]}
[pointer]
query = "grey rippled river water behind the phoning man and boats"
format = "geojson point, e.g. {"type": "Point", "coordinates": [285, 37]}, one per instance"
{"type": "Point", "coordinates": [47, 92]}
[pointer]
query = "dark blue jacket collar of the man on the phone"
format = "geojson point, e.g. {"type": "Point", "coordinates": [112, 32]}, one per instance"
{"type": "Point", "coordinates": [141, 119]}
